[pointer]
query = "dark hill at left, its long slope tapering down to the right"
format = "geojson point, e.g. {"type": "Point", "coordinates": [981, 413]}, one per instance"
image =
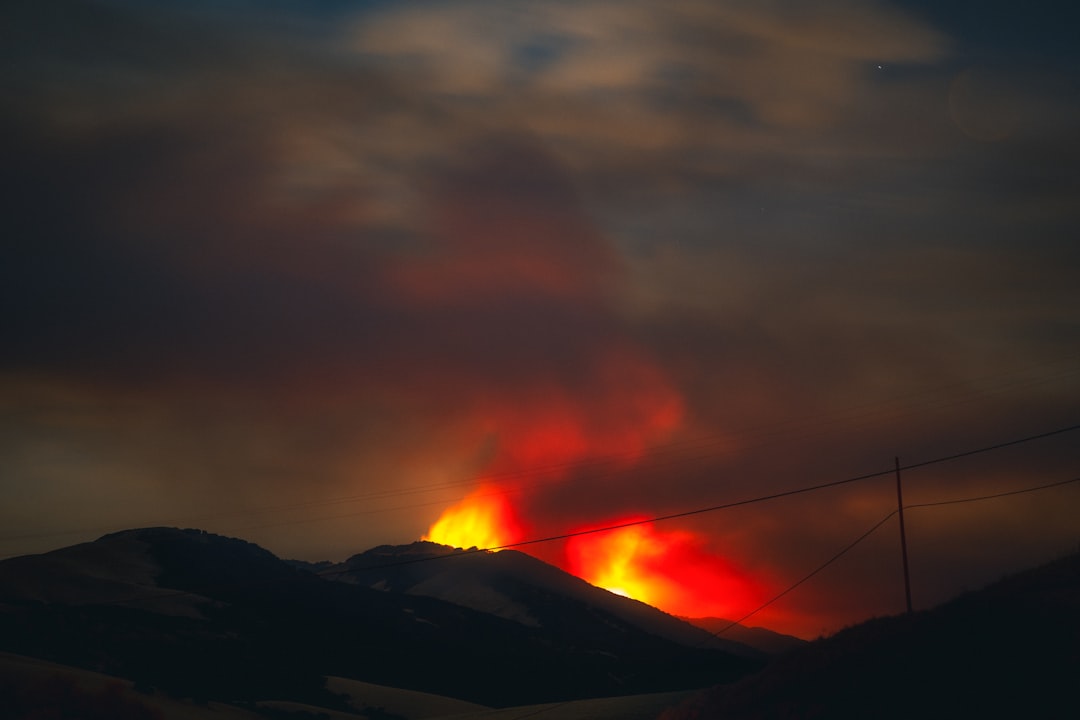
{"type": "Point", "coordinates": [199, 616]}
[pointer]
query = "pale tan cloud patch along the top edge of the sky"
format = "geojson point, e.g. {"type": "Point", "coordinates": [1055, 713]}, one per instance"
{"type": "Point", "coordinates": [781, 65]}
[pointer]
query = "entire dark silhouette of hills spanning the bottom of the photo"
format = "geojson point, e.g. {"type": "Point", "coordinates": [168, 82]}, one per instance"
{"type": "Point", "coordinates": [193, 616]}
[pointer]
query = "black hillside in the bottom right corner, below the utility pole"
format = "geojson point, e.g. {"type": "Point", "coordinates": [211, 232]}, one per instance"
{"type": "Point", "coordinates": [1011, 650]}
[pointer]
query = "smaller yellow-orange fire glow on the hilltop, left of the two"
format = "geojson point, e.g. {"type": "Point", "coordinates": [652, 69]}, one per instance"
{"type": "Point", "coordinates": [483, 520]}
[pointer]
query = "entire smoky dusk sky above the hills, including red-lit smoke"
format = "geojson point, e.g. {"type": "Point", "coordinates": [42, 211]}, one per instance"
{"type": "Point", "coordinates": [316, 275]}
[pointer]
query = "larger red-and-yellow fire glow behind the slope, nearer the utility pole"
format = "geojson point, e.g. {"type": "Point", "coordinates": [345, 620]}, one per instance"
{"type": "Point", "coordinates": [671, 570]}
